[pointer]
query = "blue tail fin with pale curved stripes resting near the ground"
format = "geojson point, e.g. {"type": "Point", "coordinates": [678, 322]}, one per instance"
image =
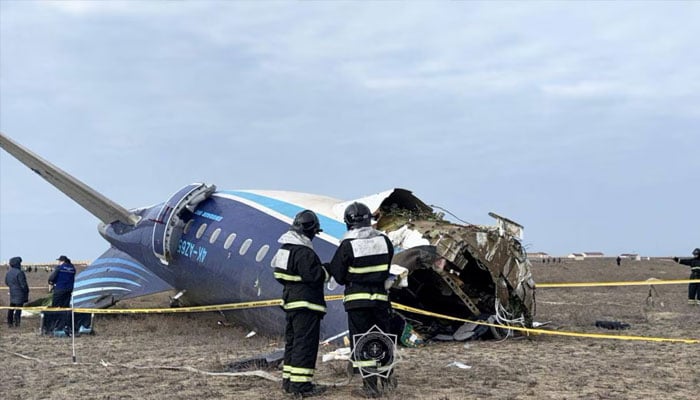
{"type": "Point", "coordinates": [112, 277]}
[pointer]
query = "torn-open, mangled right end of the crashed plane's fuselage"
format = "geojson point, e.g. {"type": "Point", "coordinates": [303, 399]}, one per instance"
{"type": "Point", "coordinates": [473, 272]}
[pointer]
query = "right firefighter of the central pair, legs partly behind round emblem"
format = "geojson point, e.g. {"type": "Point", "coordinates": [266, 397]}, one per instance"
{"type": "Point", "coordinates": [361, 263]}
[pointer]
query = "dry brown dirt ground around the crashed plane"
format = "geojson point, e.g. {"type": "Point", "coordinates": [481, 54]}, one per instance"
{"type": "Point", "coordinates": [163, 356]}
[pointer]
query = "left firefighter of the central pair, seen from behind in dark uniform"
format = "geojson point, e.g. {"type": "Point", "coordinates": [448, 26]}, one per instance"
{"type": "Point", "coordinates": [299, 269]}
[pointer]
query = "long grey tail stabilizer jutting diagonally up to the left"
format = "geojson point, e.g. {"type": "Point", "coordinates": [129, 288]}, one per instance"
{"type": "Point", "coordinates": [98, 205]}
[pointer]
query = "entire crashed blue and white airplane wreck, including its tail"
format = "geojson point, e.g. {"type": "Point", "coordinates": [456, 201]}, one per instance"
{"type": "Point", "coordinates": [215, 247]}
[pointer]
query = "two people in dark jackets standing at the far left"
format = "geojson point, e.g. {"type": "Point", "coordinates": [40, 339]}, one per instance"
{"type": "Point", "coordinates": [61, 282]}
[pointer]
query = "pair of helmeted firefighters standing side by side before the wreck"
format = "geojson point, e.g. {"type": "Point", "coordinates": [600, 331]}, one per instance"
{"type": "Point", "coordinates": [361, 263]}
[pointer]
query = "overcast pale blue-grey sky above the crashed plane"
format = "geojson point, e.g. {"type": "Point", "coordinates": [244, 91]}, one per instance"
{"type": "Point", "coordinates": [580, 120]}
